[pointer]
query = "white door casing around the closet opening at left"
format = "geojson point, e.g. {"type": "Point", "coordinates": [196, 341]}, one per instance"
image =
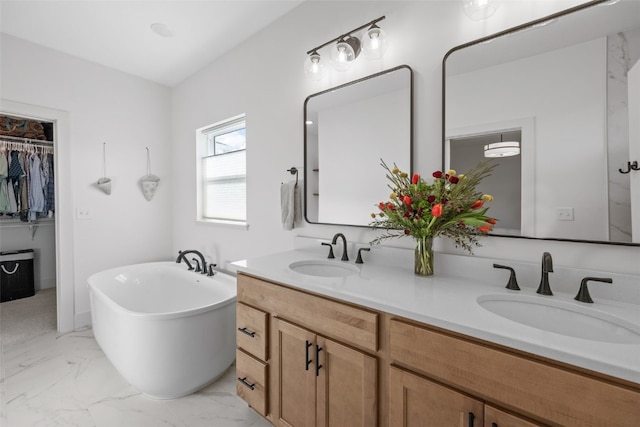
{"type": "Point", "coordinates": [62, 234]}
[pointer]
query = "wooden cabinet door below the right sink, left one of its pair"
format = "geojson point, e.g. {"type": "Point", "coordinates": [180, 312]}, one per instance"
{"type": "Point", "coordinates": [416, 401]}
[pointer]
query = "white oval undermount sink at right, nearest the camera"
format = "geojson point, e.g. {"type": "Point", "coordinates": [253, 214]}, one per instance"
{"type": "Point", "coordinates": [562, 318]}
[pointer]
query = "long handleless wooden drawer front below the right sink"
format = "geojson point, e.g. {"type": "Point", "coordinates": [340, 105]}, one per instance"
{"type": "Point", "coordinates": [527, 385]}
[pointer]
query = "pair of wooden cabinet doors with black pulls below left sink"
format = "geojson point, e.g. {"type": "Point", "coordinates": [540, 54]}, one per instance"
{"type": "Point", "coordinates": [322, 382]}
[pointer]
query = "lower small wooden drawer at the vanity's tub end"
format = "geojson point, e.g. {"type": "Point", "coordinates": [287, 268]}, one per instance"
{"type": "Point", "coordinates": [251, 382]}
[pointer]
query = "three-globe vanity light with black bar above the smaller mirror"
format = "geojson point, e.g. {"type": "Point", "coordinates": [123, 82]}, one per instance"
{"type": "Point", "coordinates": [346, 49]}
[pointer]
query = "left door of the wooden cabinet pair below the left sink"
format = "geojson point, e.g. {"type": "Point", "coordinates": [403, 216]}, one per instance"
{"type": "Point", "coordinates": [297, 381]}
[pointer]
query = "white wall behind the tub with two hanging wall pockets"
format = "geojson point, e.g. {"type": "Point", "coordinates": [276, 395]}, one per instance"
{"type": "Point", "coordinates": [129, 114]}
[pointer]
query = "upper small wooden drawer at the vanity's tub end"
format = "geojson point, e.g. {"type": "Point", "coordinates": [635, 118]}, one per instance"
{"type": "Point", "coordinates": [251, 332]}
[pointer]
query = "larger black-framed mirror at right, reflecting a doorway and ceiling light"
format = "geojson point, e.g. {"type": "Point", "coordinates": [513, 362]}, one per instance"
{"type": "Point", "coordinates": [563, 94]}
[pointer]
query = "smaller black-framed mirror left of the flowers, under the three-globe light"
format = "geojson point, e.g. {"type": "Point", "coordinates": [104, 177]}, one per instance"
{"type": "Point", "coordinates": [348, 129]}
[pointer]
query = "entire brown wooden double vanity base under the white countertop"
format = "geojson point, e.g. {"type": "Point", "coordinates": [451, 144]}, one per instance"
{"type": "Point", "coordinates": [307, 360]}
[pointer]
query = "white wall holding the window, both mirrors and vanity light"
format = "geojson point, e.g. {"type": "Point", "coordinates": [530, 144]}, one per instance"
{"type": "Point", "coordinates": [264, 78]}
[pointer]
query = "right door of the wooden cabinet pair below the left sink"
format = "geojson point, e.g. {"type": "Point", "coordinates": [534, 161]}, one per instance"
{"type": "Point", "coordinates": [346, 386]}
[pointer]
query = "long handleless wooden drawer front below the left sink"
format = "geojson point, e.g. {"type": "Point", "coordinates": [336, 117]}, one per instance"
{"type": "Point", "coordinates": [343, 322]}
